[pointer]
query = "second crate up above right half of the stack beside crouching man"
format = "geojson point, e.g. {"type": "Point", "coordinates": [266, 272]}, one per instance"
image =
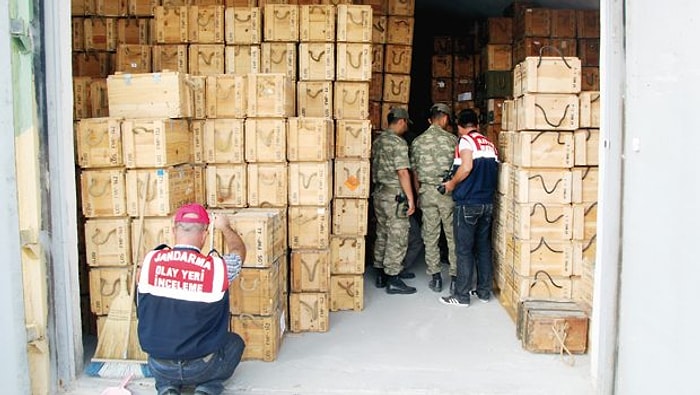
{"type": "Point", "coordinates": [265, 140]}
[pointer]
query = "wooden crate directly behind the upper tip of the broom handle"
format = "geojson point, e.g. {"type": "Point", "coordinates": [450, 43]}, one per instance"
{"type": "Point", "coordinates": [167, 189]}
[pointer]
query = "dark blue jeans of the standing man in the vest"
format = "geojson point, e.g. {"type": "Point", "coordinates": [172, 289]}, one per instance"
{"type": "Point", "coordinates": [472, 228]}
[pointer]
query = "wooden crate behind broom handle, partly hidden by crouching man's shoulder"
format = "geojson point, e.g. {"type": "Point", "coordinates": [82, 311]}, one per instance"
{"type": "Point", "coordinates": [156, 231]}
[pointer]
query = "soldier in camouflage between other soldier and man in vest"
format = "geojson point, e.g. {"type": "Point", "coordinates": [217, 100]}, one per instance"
{"type": "Point", "coordinates": [432, 154]}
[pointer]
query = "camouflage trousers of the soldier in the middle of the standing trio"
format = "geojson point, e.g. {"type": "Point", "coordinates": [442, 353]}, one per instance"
{"type": "Point", "coordinates": [438, 211]}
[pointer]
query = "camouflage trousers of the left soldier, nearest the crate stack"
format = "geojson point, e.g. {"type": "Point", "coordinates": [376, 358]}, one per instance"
{"type": "Point", "coordinates": [392, 234]}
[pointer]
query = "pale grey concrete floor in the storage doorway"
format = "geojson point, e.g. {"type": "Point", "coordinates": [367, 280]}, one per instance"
{"type": "Point", "coordinates": [403, 345]}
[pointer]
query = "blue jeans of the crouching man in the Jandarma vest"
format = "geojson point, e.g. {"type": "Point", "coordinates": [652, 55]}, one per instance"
{"type": "Point", "coordinates": [207, 373]}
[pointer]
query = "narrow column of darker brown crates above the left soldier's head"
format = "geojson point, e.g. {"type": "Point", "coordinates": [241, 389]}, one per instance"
{"type": "Point", "coordinates": [392, 24]}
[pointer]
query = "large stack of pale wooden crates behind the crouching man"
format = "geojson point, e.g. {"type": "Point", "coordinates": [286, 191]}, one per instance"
{"type": "Point", "coordinates": [258, 110]}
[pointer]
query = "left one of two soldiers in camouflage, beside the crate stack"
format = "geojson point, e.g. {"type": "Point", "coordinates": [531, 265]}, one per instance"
{"type": "Point", "coordinates": [393, 201]}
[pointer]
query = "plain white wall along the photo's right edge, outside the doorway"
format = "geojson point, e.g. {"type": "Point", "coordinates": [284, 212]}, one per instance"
{"type": "Point", "coordinates": [659, 350]}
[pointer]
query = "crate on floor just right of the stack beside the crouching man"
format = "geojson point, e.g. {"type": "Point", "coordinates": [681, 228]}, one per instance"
{"type": "Point", "coordinates": [308, 312]}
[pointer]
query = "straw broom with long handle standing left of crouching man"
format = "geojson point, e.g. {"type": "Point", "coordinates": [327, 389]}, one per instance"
{"type": "Point", "coordinates": [114, 358]}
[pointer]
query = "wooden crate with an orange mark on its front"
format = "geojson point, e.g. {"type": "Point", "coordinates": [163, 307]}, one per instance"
{"type": "Point", "coordinates": [352, 178]}
